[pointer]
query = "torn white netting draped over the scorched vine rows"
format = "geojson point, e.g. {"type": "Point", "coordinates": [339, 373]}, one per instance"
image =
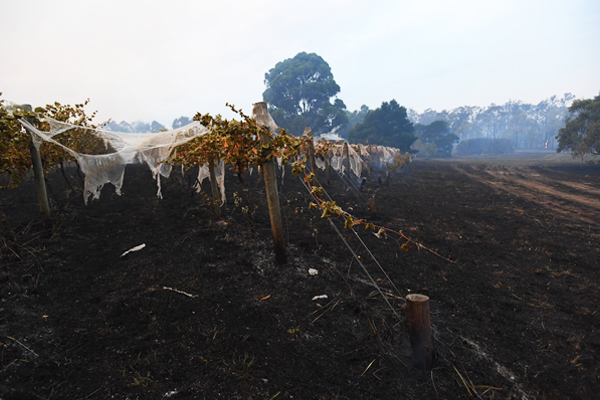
{"type": "Point", "coordinates": [155, 148]}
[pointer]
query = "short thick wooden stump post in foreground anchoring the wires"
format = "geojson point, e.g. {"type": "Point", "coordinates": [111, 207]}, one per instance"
{"type": "Point", "coordinates": [419, 329]}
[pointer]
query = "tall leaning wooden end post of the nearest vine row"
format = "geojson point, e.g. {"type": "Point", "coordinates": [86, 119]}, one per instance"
{"type": "Point", "coordinates": [261, 115]}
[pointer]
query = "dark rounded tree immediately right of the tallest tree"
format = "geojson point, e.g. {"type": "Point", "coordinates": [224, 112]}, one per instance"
{"type": "Point", "coordinates": [387, 126]}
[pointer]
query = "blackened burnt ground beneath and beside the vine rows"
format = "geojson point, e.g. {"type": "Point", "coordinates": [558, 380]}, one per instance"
{"type": "Point", "coordinates": [203, 311]}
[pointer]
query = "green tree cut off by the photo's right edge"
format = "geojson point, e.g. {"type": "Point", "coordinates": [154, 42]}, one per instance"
{"type": "Point", "coordinates": [581, 134]}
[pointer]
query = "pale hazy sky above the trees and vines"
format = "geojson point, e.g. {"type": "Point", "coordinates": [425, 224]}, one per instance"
{"type": "Point", "coordinates": [159, 60]}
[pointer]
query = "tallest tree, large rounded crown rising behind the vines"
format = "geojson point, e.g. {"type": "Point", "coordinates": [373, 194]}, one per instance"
{"type": "Point", "coordinates": [299, 92]}
